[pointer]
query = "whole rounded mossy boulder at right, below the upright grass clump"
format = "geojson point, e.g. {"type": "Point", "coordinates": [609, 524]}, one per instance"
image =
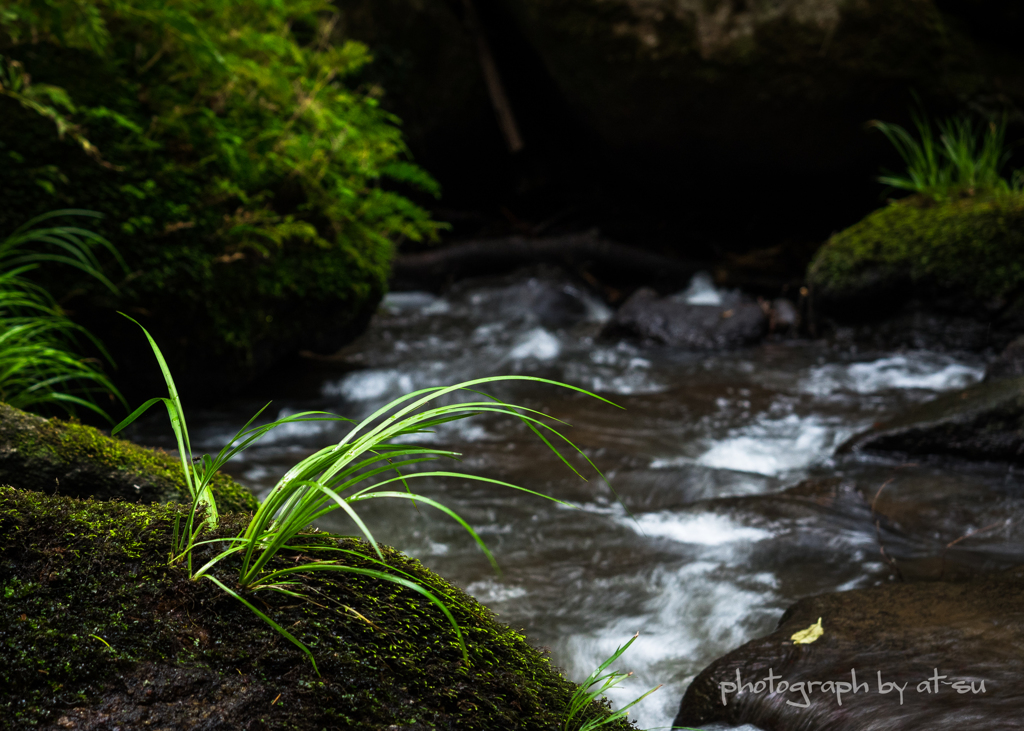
{"type": "Point", "coordinates": [961, 257]}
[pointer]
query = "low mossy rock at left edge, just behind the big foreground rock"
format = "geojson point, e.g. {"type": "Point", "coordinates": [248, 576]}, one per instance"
{"type": "Point", "coordinates": [68, 458]}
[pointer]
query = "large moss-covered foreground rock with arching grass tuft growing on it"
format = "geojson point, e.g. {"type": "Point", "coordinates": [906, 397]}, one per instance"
{"type": "Point", "coordinates": [99, 632]}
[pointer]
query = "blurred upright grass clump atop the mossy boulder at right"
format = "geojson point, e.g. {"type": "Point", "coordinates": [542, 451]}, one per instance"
{"type": "Point", "coordinates": [965, 159]}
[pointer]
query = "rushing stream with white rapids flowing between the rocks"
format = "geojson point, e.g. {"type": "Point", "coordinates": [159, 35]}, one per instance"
{"type": "Point", "coordinates": [695, 577]}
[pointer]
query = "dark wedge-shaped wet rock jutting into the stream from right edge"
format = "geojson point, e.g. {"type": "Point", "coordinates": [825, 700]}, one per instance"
{"type": "Point", "coordinates": [985, 422]}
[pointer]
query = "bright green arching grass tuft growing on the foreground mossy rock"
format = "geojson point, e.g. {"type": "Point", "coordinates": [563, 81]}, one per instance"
{"type": "Point", "coordinates": [342, 477]}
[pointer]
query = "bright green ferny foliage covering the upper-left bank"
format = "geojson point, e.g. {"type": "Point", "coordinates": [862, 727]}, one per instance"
{"type": "Point", "coordinates": [249, 186]}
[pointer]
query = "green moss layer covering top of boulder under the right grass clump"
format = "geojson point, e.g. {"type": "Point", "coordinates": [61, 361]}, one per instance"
{"type": "Point", "coordinates": [973, 246]}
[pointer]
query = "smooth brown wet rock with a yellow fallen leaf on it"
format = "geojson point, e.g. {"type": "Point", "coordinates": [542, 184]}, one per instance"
{"type": "Point", "coordinates": [968, 634]}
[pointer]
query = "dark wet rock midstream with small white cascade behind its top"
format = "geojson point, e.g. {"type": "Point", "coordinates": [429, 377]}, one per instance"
{"type": "Point", "coordinates": [737, 321]}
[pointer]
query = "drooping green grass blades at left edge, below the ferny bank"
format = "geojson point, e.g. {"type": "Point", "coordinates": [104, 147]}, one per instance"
{"type": "Point", "coordinates": [39, 365]}
